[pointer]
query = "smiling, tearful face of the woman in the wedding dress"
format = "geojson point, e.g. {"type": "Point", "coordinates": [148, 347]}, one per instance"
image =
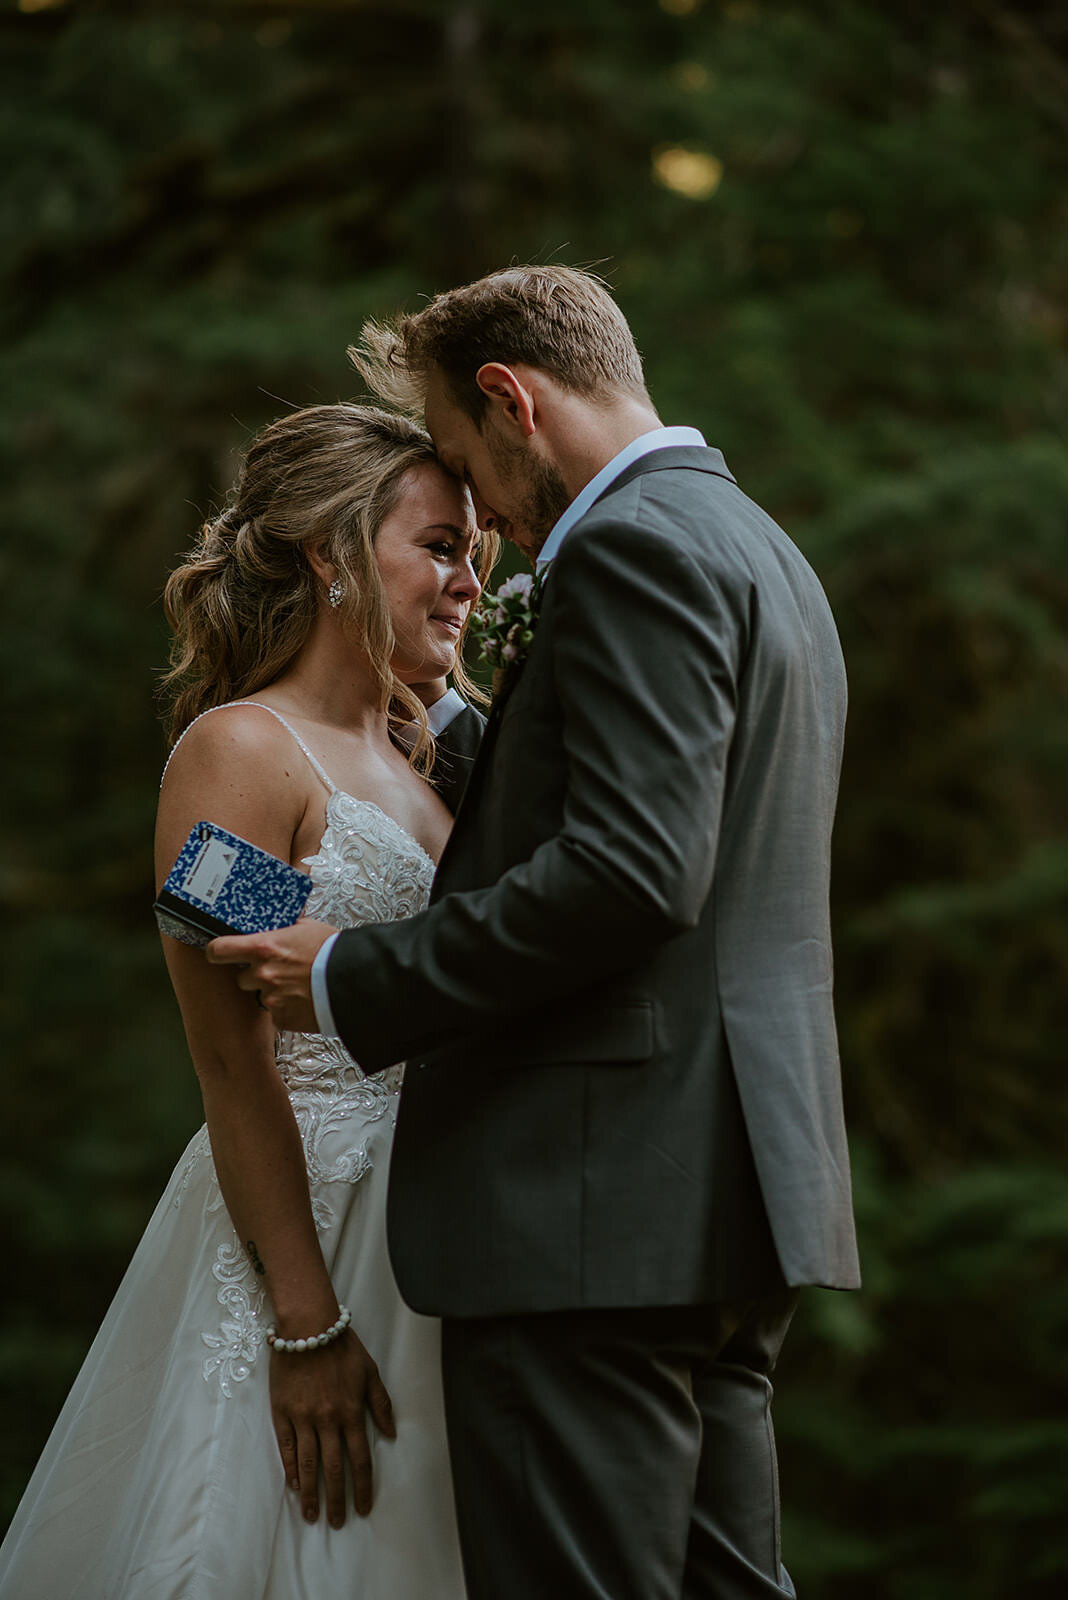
{"type": "Point", "coordinates": [424, 554]}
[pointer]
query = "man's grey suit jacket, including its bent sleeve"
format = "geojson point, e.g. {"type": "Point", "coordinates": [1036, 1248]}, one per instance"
{"type": "Point", "coordinates": [624, 1082]}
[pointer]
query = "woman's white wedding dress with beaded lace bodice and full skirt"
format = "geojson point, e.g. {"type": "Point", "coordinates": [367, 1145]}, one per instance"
{"type": "Point", "coordinates": [162, 1478]}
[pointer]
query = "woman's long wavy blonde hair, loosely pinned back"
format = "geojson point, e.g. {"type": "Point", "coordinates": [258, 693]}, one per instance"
{"type": "Point", "coordinates": [244, 602]}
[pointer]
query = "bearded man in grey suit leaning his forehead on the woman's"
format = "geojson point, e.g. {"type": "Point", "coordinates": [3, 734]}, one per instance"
{"type": "Point", "coordinates": [621, 1143]}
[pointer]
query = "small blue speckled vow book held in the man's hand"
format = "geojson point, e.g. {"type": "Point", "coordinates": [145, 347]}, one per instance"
{"type": "Point", "coordinates": [221, 884]}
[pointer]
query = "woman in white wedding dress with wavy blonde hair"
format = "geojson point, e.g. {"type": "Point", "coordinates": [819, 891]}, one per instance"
{"type": "Point", "coordinates": [314, 620]}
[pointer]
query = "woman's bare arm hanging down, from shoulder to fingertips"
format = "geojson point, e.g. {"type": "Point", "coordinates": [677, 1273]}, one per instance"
{"type": "Point", "coordinates": [244, 778]}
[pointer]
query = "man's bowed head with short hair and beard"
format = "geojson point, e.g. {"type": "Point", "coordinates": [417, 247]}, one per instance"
{"type": "Point", "coordinates": [525, 380]}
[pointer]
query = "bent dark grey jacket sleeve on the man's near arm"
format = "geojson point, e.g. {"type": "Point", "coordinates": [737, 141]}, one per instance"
{"type": "Point", "coordinates": [647, 658]}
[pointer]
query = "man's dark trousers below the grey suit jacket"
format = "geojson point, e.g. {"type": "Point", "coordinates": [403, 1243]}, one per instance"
{"type": "Point", "coordinates": [618, 1455]}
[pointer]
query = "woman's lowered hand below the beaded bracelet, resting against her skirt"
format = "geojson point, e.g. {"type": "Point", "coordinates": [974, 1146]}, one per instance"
{"type": "Point", "coordinates": [319, 1404]}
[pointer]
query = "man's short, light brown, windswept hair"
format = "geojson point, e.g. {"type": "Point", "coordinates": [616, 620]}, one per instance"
{"type": "Point", "coordinates": [562, 321]}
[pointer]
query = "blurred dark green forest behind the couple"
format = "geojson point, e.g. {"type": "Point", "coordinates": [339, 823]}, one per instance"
{"type": "Point", "coordinates": [840, 234]}
